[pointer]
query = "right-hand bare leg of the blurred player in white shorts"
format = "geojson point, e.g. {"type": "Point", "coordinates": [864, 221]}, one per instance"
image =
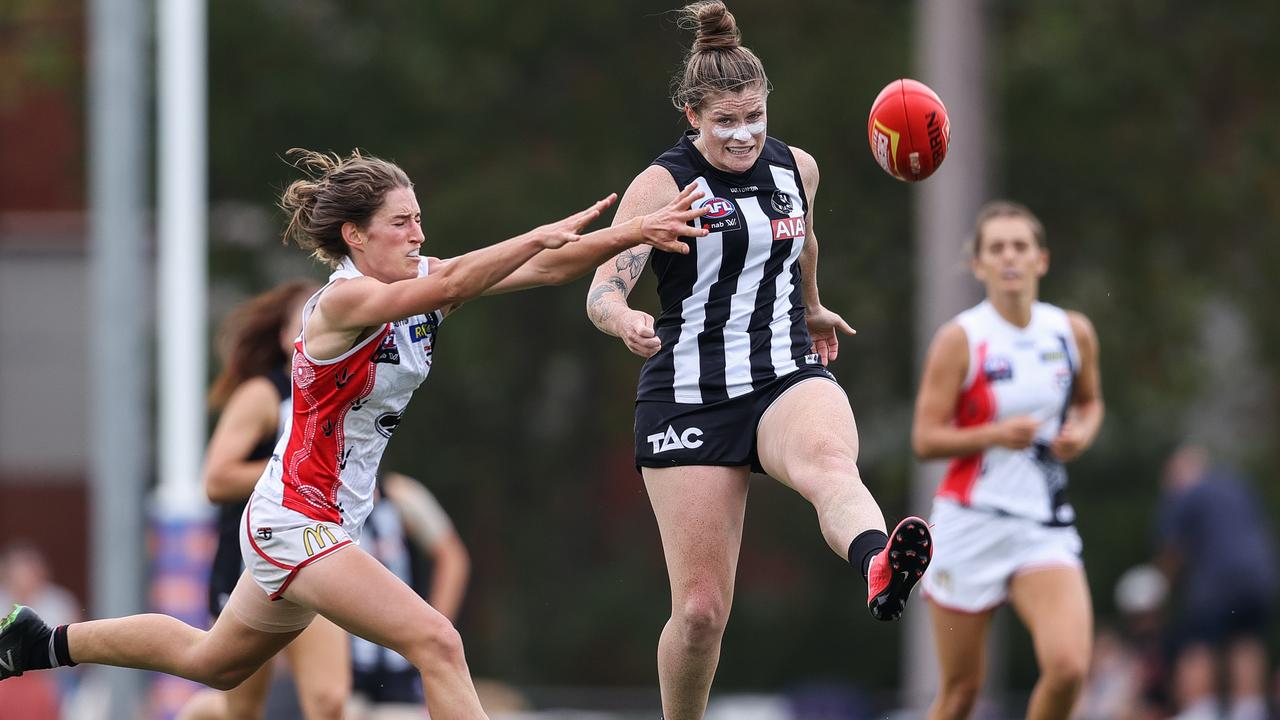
{"type": "Point", "coordinates": [1054, 604]}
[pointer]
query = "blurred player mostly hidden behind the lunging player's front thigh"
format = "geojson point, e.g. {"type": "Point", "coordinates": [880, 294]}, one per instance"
{"type": "Point", "coordinates": [408, 522]}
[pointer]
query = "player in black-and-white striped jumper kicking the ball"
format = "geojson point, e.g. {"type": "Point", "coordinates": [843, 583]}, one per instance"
{"type": "Point", "coordinates": [737, 377]}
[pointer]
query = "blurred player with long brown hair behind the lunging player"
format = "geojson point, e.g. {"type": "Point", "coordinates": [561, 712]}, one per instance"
{"type": "Point", "coordinates": [253, 395]}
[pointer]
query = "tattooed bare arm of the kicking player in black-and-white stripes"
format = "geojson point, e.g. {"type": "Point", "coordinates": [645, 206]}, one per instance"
{"type": "Point", "coordinates": [607, 300]}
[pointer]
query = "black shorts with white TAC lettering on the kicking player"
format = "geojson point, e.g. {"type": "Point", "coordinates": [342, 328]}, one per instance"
{"type": "Point", "coordinates": [671, 435]}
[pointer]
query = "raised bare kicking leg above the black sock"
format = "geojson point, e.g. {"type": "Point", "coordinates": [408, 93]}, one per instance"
{"type": "Point", "coordinates": [808, 441]}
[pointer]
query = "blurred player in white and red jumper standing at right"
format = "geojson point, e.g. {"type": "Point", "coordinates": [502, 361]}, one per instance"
{"type": "Point", "coordinates": [1011, 391]}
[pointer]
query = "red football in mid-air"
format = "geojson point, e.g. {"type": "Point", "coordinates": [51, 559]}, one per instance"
{"type": "Point", "coordinates": [909, 130]}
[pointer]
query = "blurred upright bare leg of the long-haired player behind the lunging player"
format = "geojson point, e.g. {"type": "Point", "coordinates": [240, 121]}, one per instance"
{"type": "Point", "coordinates": [321, 662]}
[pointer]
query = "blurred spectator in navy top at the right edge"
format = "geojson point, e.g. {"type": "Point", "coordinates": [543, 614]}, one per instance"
{"type": "Point", "coordinates": [1217, 546]}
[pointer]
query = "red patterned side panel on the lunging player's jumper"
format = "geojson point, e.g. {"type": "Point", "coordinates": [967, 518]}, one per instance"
{"type": "Point", "coordinates": [314, 457]}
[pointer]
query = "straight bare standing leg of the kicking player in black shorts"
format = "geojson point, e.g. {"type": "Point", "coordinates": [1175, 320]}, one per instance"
{"type": "Point", "coordinates": [700, 514]}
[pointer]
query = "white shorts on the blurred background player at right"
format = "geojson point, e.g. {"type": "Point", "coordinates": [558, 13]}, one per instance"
{"type": "Point", "coordinates": [977, 553]}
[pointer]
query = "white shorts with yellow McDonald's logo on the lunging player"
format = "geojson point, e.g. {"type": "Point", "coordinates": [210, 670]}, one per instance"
{"type": "Point", "coordinates": [277, 543]}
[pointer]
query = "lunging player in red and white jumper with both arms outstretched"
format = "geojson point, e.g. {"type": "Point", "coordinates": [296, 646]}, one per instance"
{"type": "Point", "coordinates": [365, 347]}
